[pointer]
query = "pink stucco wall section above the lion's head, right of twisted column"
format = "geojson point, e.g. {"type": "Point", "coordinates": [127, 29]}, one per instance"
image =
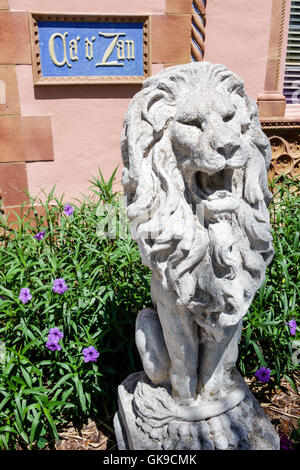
{"type": "Point", "coordinates": [237, 35]}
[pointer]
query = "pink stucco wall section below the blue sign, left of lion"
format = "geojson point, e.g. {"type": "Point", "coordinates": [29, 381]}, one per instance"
{"type": "Point", "coordinates": [86, 126]}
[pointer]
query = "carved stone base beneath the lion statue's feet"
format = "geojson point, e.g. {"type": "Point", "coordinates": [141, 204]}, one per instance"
{"type": "Point", "coordinates": [242, 427]}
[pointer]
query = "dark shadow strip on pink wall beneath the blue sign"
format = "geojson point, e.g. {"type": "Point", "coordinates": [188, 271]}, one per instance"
{"type": "Point", "coordinates": [86, 91]}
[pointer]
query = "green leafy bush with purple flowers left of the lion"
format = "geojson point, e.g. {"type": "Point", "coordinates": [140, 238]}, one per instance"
{"type": "Point", "coordinates": [41, 390]}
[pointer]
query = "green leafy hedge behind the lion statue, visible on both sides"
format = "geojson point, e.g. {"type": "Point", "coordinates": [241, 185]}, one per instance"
{"type": "Point", "coordinates": [42, 390]}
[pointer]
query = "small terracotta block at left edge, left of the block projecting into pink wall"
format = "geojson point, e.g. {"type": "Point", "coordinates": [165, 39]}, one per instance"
{"type": "Point", "coordinates": [12, 142]}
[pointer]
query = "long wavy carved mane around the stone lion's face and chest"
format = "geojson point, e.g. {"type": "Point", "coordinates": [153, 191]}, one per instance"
{"type": "Point", "coordinates": [158, 195]}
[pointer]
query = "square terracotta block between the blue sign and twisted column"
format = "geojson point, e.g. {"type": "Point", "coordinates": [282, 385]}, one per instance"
{"type": "Point", "coordinates": [171, 38]}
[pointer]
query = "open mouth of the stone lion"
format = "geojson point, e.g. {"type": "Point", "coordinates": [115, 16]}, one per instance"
{"type": "Point", "coordinates": [206, 185]}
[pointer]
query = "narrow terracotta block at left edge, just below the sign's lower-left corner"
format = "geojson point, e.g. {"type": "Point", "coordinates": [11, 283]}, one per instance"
{"type": "Point", "coordinates": [9, 96]}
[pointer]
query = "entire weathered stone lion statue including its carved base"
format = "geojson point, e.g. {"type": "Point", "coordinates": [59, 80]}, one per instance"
{"type": "Point", "coordinates": [195, 178]}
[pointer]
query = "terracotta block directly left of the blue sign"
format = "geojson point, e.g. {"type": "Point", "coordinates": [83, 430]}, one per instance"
{"type": "Point", "coordinates": [14, 38]}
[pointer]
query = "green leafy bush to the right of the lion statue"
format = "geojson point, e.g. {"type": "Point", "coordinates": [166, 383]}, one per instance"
{"type": "Point", "coordinates": [266, 338]}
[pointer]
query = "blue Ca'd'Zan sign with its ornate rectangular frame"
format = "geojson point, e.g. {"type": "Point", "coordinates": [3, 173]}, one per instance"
{"type": "Point", "coordinates": [78, 49]}
